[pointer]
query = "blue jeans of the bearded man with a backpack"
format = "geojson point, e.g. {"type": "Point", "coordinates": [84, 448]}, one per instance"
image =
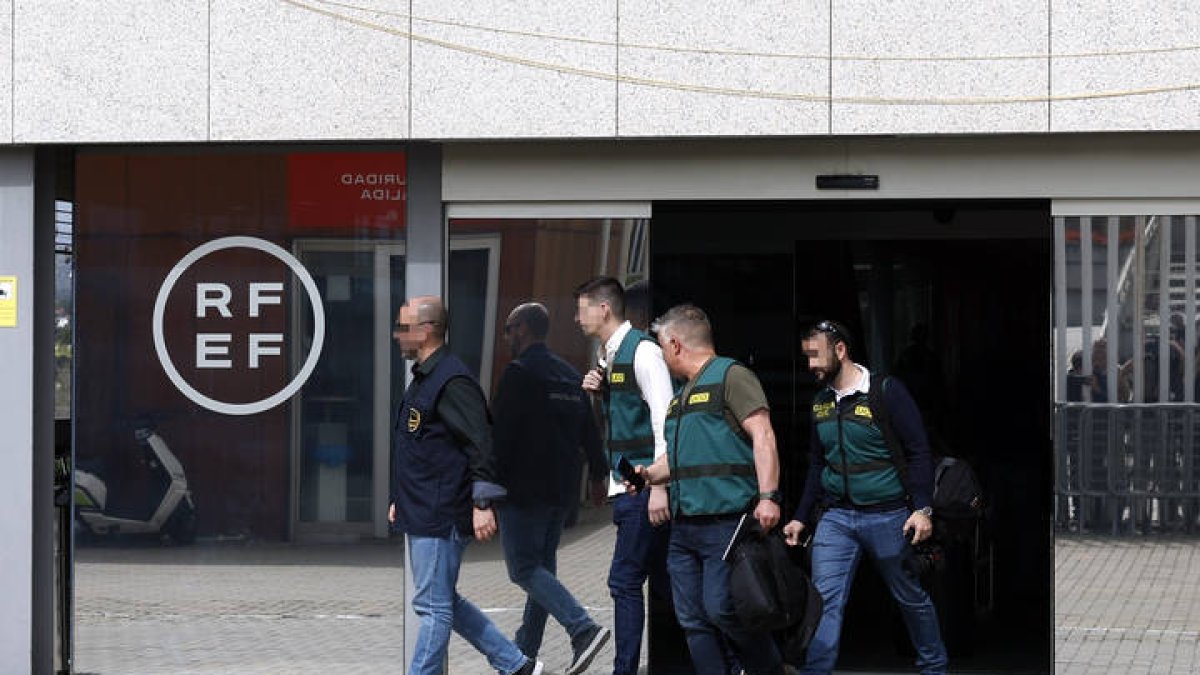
{"type": "Point", "coordinates": [839, 543]}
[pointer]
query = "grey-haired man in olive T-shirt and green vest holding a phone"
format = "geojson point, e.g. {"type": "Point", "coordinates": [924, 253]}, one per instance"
{"type": "Point", "coordinates": [722, 463]}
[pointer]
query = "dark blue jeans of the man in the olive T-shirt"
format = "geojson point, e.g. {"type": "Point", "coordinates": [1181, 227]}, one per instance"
{"type": "Point", "coordinates": [700, 582]}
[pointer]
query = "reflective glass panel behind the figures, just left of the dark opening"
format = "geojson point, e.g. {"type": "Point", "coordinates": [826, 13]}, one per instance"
{"type": "Point", "coordinates": [541, 261]}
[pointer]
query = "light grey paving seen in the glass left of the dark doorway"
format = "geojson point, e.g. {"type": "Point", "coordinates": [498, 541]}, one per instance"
{"type": "Point", "coordinates": [247, 608]}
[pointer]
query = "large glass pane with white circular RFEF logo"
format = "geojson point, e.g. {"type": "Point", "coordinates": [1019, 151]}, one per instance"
{"type": "Point", "coordinates": [235, 387]}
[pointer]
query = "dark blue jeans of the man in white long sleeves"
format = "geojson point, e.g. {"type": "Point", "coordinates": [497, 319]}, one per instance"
{"type": "Point", "coordinates": [639, 554]}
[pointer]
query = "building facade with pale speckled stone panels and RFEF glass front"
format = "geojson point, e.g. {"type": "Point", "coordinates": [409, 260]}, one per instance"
{"type": "Point", "coordinates": [1022, 180]}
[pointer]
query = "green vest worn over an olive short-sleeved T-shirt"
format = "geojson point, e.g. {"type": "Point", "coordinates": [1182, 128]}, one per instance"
{"type": "Point", "coordinates": [712, 465]}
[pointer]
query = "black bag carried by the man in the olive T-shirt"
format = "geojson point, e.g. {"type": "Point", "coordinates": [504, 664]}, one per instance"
{"type": "Point", "coordinates": [770, 592]}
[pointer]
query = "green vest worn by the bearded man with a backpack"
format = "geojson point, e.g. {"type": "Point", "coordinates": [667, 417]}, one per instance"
{"type": "Point", "coordinates": [859, 464]}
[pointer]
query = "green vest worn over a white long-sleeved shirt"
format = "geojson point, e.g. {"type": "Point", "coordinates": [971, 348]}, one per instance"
{"type": "Point", "coordinates": [629, 419]}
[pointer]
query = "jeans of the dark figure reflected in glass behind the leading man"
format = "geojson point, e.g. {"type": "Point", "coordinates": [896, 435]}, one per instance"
{"type": "Point", "coordinates": [530, 536]}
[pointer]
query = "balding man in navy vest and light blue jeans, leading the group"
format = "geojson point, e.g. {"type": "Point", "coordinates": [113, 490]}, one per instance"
{"type": "Point", "coordinates": [443, 489]}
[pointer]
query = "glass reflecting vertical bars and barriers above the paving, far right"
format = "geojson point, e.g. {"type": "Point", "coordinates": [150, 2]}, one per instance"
{"type": "Point", "coordinates": [1126, 374]}
